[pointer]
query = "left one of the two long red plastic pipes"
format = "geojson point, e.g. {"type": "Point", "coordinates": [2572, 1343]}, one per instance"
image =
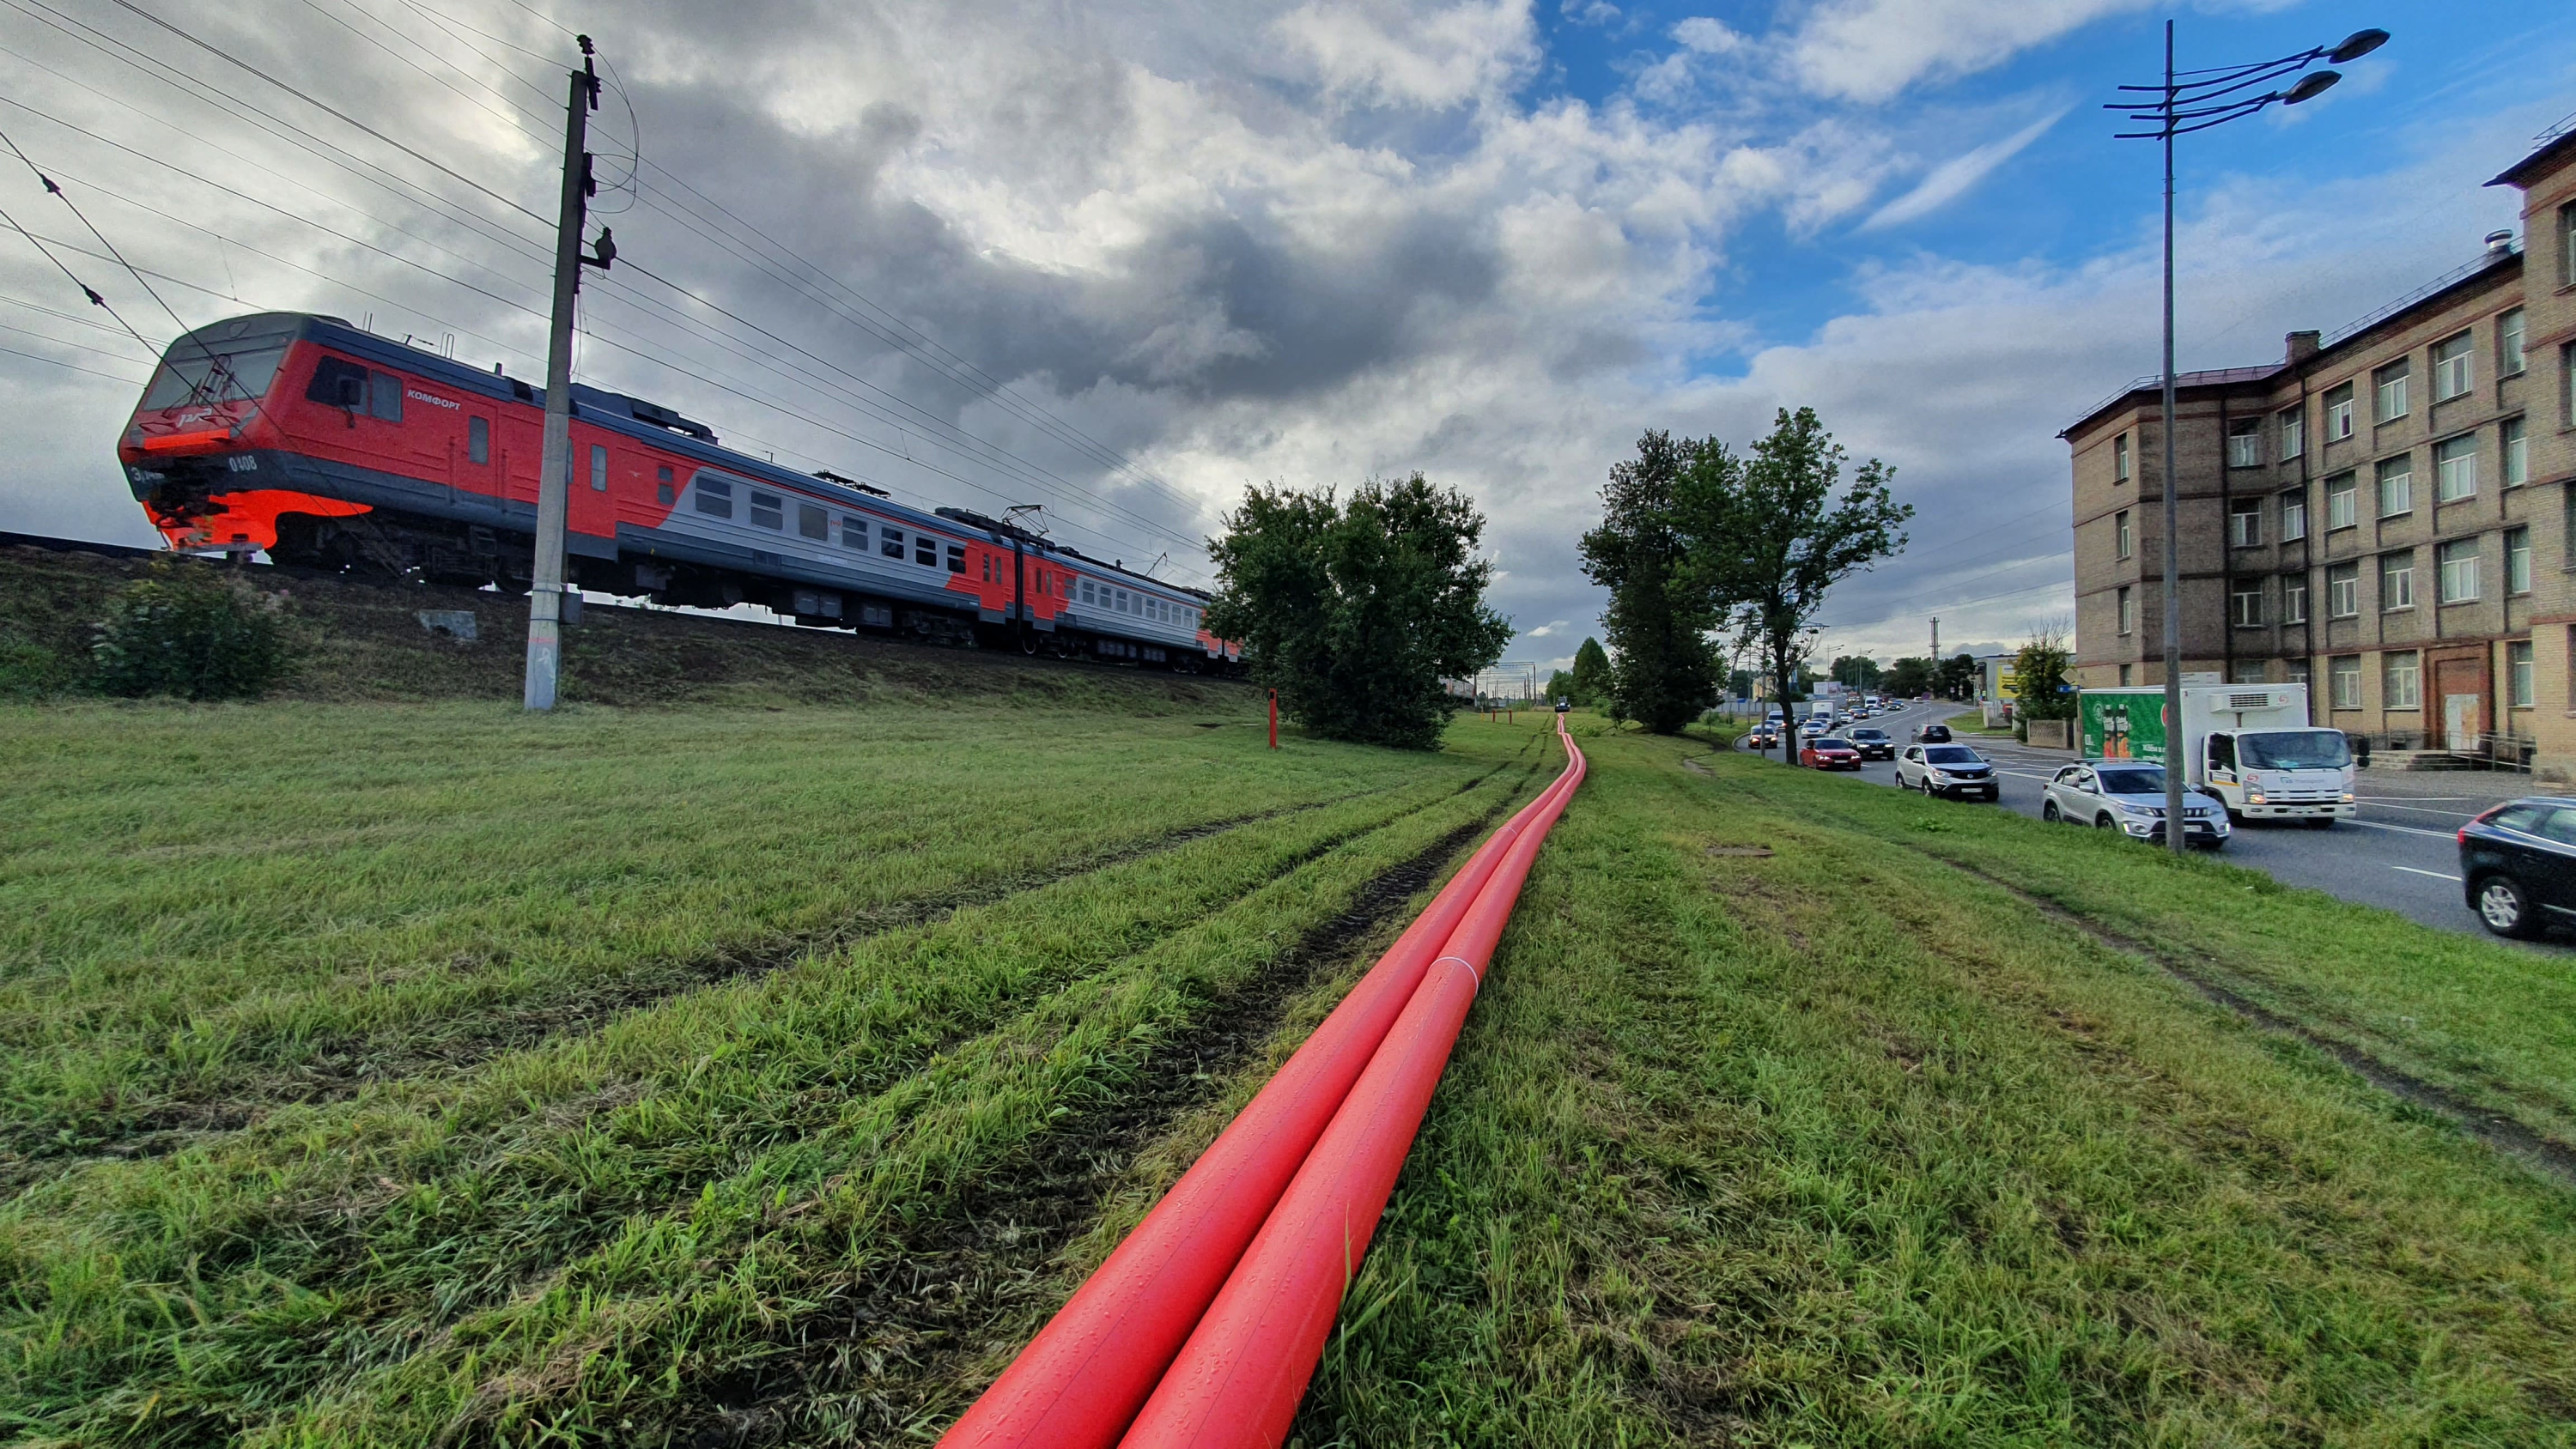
{"type": "Point", "coordinates": [1081, 1381]}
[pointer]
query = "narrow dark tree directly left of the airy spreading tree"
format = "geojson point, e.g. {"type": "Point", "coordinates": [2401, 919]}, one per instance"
{"type": "Point", "coordinates": [1658, 619]}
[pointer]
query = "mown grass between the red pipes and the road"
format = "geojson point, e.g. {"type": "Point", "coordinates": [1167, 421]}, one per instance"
{"type": "Point", "coordinates": [1851, 1147]}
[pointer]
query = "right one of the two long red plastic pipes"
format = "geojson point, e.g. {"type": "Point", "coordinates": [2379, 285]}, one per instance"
{"type": "Point", "coordinates": [1245, 1368]}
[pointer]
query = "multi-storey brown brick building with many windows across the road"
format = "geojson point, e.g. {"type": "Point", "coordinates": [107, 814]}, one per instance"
{"type": "Point", "coordinates": [2387, 516]}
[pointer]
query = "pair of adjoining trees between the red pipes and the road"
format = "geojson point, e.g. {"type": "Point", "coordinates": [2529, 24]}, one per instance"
{"type": "Point", "coordinates": [1712, 555]}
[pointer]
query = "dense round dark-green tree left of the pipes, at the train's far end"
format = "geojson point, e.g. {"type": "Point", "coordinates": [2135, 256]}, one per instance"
{"type": "Point", "coordinates": [1356, 614]}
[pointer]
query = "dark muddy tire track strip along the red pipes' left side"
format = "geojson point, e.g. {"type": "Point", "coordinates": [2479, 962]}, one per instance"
{"type": "Point", "coordinates": [967, 1273]}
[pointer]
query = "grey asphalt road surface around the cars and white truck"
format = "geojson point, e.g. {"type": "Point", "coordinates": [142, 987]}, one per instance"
{"type": "Point", "coordinates": [2402, 853]}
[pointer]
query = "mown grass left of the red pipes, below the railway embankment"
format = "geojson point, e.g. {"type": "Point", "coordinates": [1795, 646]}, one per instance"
{"type": "Point", "coordinates": [596, 1234]}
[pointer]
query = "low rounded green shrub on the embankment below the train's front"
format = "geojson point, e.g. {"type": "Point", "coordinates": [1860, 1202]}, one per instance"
{"type": "Point", "coordinates": [192, 632]}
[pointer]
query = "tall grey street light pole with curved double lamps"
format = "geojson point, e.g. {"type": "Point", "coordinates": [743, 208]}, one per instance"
{"type": "Point", "coordinates": [2181, 109]}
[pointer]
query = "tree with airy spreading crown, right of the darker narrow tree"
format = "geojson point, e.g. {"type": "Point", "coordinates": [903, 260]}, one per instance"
{"type": "Point", "coordinates": [1768, 537]}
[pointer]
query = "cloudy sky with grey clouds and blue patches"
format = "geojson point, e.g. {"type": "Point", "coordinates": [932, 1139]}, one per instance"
{"type": "Point", "coordinates": [1130, 259]}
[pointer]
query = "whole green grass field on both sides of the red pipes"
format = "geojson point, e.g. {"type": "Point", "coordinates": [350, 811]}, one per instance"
{"type": "Point", "coordinates": [429, 1075]}
